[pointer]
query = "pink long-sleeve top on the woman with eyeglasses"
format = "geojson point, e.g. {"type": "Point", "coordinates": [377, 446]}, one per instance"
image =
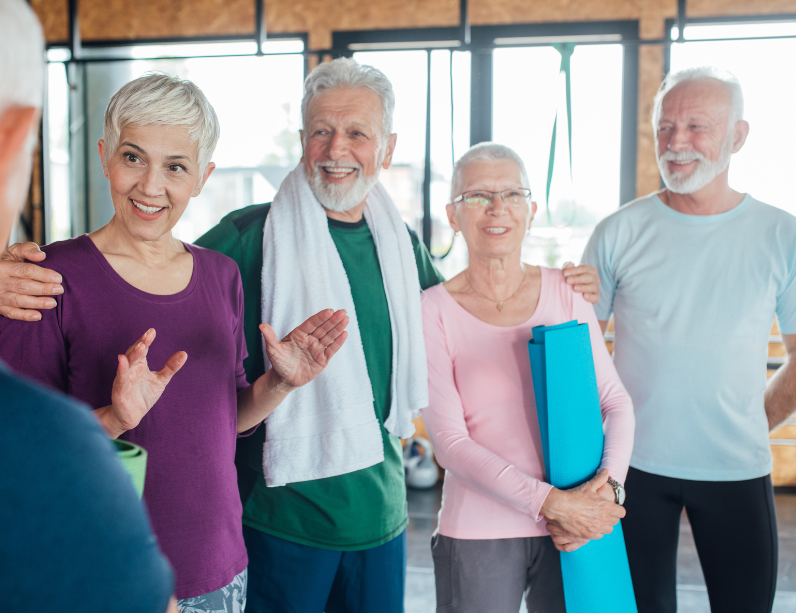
{"type": "Point", "coordinates": [482, 412]}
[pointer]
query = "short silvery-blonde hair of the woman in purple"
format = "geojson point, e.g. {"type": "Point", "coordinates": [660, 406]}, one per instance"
{"type": "Point", "coordinates": [160, 99]}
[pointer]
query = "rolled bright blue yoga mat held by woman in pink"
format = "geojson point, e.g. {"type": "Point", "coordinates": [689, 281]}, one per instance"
{"type": "Point", "coordinates": [596, 576]}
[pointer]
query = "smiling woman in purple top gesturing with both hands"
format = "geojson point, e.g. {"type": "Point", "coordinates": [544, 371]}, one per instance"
{"type": "Point", "coordinates": [132, 277]}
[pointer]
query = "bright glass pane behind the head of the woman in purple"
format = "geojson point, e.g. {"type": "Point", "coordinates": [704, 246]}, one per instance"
{"type": "Point", "coordinates": [260, 124]}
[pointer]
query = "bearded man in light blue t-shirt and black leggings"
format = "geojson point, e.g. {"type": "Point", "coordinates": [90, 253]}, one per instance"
{"type": "Point", "coordinates": [694, 276]}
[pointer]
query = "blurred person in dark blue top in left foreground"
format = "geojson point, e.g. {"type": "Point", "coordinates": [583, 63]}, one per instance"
{"type": "Point", "coordinates": [75, 537]}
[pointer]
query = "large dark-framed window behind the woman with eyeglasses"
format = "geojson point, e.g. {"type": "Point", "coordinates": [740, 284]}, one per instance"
{"type": "Point", "coordinates": [509, 87]}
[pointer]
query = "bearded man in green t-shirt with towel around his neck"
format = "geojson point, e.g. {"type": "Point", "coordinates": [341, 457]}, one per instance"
{"type": "Point", "coordinates": [336, 543]}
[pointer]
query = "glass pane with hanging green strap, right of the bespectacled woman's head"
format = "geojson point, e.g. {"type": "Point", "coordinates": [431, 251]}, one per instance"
{"type": "Point", "coordinates": [525, 104]}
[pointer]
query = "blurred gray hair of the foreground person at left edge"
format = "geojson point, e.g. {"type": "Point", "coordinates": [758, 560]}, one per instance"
{"type": "Point", "coordinates": [21, 56]}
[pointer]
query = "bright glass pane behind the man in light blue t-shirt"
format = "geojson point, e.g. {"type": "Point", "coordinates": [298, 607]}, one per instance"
{"type": "Point", "coordinates": [769, 99]}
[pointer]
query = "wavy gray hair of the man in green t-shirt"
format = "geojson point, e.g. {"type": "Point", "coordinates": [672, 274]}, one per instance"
{"type": "Point", "coordinates": [346, 72]}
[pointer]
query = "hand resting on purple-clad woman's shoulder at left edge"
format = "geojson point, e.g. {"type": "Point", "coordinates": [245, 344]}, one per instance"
{"type": "Point", "coordinates": [24, 286]}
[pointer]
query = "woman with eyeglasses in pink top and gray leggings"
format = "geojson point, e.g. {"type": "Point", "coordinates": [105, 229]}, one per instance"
{"type": "Point", "coordinates": [493, 544]}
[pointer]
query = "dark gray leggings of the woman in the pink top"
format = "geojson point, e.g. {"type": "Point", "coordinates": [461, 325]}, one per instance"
{"type": "Point", "coordinates": [473, 576]}
